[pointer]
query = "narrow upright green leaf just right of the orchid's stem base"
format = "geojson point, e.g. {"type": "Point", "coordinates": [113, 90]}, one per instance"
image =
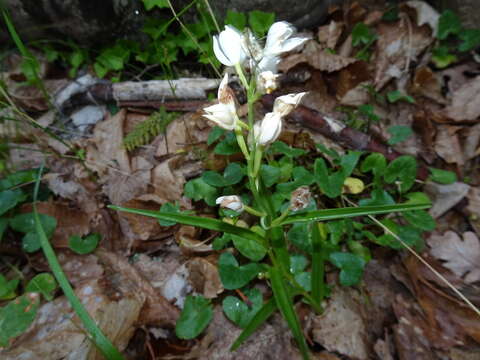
{"type": "Point", "coordinates": [318, 283]}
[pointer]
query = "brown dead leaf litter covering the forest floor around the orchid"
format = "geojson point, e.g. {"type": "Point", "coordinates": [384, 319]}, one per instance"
{"type": "Point", "coordinates": [142, 273]}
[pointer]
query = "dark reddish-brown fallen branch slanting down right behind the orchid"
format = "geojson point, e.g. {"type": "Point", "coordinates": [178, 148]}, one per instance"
{"type": "Point", "coordinates": [340, 133]}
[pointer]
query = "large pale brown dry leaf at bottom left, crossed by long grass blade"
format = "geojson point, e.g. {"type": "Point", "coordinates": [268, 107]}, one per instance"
{"type": "Point", "coordinates": [57, 332]}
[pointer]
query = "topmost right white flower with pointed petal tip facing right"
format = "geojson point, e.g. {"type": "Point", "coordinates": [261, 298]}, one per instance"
{"type": "Point", "coordinates": [279, 39]}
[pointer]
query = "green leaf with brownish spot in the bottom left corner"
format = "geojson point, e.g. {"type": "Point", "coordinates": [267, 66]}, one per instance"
{"type": "Point", "coordinates": [17, 316]}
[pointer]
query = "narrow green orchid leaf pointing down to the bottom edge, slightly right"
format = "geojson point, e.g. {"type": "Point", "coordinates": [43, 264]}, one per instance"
{"type": "Point", "coordinates": [285, 304]}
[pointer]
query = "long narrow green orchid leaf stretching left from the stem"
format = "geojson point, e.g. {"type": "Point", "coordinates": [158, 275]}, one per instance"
{"type": "Point", "coordinates": [205, 223]}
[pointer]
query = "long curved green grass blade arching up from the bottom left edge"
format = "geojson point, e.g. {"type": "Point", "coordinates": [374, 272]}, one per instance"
{"type": "Point", "coordinates": [94, 332]}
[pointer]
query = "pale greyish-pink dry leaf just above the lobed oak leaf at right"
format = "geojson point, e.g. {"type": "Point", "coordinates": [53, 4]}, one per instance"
{"type": "Point", "coordinates": [445, 196]}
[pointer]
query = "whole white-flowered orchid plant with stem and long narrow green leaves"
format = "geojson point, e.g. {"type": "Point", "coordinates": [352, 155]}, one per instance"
{"type": "Point", "coordinates": [256, 68]}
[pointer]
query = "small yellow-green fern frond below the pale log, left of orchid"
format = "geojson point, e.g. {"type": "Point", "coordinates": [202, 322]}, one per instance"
{"type": "Point", "coordinates": [144, 132]}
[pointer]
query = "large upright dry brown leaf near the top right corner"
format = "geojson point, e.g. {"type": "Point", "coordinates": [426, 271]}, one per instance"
{"type": "Point", "coordinates": [398, 47]}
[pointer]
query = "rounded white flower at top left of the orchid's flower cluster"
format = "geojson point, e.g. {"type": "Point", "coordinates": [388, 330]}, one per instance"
{"type": "Point", "coordinates": [229, 46]}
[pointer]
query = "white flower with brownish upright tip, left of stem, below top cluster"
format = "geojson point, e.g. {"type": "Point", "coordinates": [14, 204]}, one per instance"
{"type": "Point", "coordinates": [224, 114]}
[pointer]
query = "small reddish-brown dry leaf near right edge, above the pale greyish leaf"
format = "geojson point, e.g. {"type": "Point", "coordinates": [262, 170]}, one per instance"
{"type": "Point", "coordinates": [447, 144]}
